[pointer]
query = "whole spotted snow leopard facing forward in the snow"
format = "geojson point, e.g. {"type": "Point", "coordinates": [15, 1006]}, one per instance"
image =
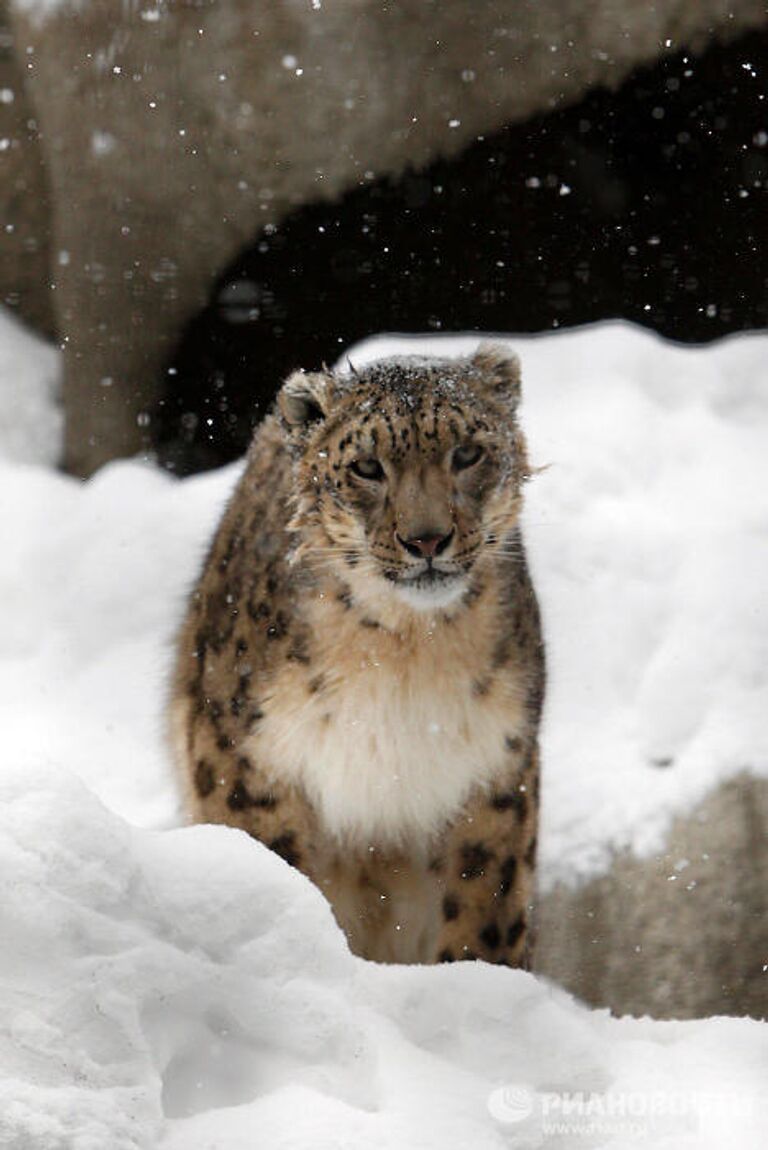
{"type": "Point", "coordinates": [360, 674]}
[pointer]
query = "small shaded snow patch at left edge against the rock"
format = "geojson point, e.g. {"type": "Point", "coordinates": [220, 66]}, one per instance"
{"type": "Point", "coordinates": [30, 374]}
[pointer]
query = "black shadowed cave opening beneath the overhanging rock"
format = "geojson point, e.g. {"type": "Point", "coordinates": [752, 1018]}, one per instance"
{"type": "Point", "coordinates": [648, 204]}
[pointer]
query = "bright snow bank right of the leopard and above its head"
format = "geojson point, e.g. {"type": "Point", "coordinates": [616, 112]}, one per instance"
{"type": "Point", "coordinates": [647, 534]}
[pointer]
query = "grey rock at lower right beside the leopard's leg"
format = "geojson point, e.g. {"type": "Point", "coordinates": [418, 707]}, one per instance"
{"type": "Point", "coordinates": [683, 934]}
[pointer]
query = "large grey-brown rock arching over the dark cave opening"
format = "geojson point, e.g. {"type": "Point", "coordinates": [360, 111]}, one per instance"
{"type": "Point", "coordinates": [173, 134]}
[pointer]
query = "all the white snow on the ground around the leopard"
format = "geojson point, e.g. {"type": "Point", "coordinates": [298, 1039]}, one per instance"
{"type": "Point", "coordinates": [185, 988]}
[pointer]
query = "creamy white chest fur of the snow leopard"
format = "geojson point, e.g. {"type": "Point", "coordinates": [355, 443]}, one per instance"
{"type": "Point", "coordinates": [394, 742]}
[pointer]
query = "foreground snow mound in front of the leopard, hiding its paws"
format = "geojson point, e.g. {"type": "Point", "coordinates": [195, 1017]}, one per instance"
{"type": "Point", "coordinates": [187, 991]}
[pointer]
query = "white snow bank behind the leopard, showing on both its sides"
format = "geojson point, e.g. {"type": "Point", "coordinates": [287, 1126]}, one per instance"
{"type": "Point", "coordinates": [648, 540]}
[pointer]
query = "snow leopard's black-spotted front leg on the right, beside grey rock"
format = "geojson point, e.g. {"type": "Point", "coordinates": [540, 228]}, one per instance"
{"type": "Point", "coordinates": [488, 870]}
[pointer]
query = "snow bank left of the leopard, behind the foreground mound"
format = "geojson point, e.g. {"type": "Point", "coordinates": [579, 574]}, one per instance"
{"type": "Point", "coordinates": [93, 586]}
